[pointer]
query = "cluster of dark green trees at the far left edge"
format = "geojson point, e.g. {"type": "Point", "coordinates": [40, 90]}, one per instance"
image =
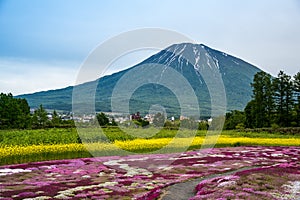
{"type": "Point", "coordinates": [15, 114]}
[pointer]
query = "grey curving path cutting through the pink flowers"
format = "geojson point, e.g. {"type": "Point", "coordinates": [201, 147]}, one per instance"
{"type": "Point", "coordinates": [186, 190]}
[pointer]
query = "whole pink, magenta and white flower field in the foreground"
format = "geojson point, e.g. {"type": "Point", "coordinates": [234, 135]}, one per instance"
{"type": "Point", "coordinates": [240, 172]}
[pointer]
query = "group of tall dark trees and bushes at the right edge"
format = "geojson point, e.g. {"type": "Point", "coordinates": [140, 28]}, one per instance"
{"type": "Point", "coordinates": [275, 103]}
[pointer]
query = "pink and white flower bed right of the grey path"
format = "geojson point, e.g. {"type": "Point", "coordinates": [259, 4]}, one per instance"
{"type": "Point", "coordinates": [273, 182]}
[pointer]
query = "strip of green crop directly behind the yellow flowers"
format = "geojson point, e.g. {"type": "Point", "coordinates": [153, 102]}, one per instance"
{"type": "Point", "coordinates": [111, 134]}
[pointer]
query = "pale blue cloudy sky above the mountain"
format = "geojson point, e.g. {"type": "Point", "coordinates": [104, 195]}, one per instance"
{"type": "Point", "coordinates": [43, 43]}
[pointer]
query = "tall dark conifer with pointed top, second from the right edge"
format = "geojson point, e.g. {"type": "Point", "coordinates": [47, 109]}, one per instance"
{"type": "Point", "coordinates": [283, 87]}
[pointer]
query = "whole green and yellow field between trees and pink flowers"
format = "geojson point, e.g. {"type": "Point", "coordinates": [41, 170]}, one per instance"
{"type": "Point", "coordinates": [20, 146]}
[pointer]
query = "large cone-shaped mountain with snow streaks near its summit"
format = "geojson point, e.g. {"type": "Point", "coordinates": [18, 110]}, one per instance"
{"type": "Point", "coordinates": [200, 65]}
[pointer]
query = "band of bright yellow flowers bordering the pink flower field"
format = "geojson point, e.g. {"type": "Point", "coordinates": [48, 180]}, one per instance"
{"type": "Point", "coordinates": [161, 145]}
